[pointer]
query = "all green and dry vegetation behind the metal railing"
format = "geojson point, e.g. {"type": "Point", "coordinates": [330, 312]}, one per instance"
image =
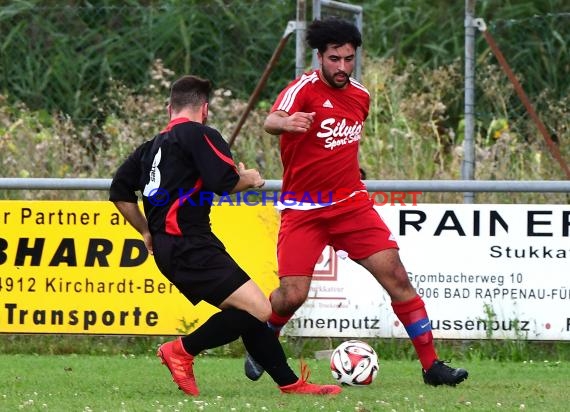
{"type": "Point", "coordinates": [82, 83]}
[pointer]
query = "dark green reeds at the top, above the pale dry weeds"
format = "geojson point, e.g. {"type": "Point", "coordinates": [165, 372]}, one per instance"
{"type": "Point", "coordinates": [64, 55]}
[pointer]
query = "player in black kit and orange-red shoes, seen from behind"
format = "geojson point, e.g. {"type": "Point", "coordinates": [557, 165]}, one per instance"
{"type": "Point", "coordinates": [174, 171]}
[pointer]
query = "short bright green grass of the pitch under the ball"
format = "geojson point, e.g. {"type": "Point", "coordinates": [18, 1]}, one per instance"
{"type": "Point", "coordinates": [141, 383]}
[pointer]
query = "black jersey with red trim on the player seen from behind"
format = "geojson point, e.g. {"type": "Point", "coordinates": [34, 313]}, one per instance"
{"type": "Point", "coordinates": [177, 172]}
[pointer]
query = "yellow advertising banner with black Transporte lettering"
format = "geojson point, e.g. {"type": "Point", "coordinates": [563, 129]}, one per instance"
{"type": "Point", "coordinates": [78, 267]}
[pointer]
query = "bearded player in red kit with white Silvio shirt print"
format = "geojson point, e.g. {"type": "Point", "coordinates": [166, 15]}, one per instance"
{"type": "Point", "coordinates": [320, 119]}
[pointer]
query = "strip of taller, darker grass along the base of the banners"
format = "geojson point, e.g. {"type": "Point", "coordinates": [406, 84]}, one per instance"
{"type": "Point", "coordinates": [517, 350]}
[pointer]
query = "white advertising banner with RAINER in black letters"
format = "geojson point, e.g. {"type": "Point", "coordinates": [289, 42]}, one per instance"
{"type": "Point", "coordinates": [484, 271]}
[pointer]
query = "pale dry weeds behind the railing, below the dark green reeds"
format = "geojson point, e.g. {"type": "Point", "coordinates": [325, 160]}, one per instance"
{"type": "Point", "coordinates": [410, 133]}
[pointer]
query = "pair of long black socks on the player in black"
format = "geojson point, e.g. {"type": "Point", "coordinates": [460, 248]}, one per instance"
{"type": "Point", "coordinates": [228, 325]}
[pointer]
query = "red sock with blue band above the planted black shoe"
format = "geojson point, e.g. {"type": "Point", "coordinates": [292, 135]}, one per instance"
{"type": "Point", "coordinates": [413, 315]}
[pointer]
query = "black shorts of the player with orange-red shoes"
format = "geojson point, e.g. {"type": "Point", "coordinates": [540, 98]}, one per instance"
{"type": "Point", "coordinates": [198, 266]}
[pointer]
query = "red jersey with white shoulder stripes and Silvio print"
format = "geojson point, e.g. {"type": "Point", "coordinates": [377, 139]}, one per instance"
{"type": "Point", "coordinates": [323, 162]}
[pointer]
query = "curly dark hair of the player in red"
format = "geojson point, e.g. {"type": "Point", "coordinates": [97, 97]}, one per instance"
{"type": "Point", "coordinates": [332, 30]}
